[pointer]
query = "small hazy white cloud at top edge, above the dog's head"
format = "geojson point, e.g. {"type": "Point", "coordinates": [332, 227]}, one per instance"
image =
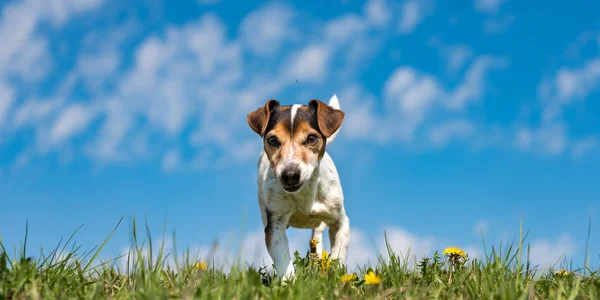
{"type": "Point", "coordinates": [266, 29]}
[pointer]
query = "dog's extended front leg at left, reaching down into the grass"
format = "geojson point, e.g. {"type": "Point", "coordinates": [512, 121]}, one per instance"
{"type": "Point", "coordinates": [277, 244]}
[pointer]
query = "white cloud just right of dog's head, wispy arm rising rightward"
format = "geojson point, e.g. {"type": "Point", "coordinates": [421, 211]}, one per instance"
{"type": "Point", "coordinates": [413, 100]}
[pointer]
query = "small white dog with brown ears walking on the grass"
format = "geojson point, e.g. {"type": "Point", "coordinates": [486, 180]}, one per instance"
{"type": "Point", "coordinates": [298, 183]}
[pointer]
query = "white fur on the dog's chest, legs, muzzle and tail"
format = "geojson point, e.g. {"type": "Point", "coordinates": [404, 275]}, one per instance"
{"type": "Point", "coordinates": [319, 203]}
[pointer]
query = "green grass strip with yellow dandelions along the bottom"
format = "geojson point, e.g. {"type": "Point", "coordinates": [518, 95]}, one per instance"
{"type": "Point", "coordinates": [504, 273]}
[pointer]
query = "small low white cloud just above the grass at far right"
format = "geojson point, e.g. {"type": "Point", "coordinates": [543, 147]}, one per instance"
{"type": "Point", "coordinates": [546, 253]}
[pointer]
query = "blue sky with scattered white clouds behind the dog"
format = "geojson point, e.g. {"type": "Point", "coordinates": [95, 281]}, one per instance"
{"type": "Point", "coordinates": [463, 119]}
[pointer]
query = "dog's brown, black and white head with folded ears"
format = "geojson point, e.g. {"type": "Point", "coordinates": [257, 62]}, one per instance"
{"type": "Point", "coordinates": [295, 137]}
